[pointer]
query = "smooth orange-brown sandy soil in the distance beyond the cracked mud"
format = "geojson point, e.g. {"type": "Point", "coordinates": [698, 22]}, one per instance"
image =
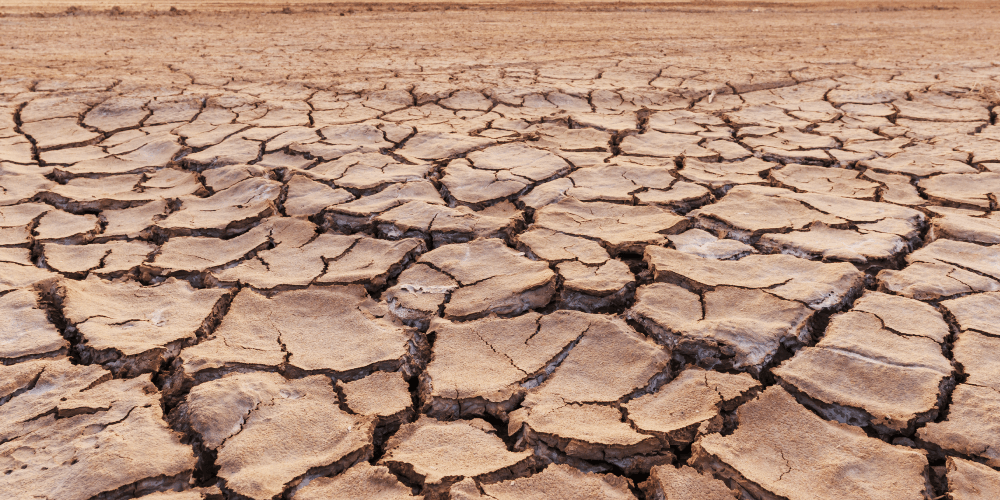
{"type": "Point", "coordinates": [323, 45]}
